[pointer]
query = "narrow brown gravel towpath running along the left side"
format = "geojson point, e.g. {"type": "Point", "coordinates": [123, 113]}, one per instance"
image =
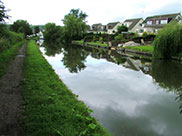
{"type": "Point", "coordinates": [10, 97]}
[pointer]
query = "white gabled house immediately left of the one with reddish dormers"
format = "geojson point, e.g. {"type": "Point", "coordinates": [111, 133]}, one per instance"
{"type": "Point", "coordinates": [134, 25]}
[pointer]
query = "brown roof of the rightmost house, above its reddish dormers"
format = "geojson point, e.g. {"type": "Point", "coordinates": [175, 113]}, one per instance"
{"type": "Point", "coordinates": [172, 16]}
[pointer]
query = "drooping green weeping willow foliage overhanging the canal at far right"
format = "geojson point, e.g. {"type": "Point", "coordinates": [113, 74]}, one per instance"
{"type": "Point", "coordinates": [168, 42]}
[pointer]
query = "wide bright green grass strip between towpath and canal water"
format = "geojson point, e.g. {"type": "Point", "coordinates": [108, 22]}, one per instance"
{"type": "Point", "coordinates": [51, 109]}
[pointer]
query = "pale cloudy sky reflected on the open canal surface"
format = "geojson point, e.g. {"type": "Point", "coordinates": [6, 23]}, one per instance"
{"type": "Point", "coordinates": [125, 101]}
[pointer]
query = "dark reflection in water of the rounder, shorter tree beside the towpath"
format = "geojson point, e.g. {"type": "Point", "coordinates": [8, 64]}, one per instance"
{"type": "Point", "coordinates": [51, 50]}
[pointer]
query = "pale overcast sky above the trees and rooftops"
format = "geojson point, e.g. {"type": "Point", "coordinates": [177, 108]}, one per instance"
{"type": "Point", "coordinates": [38, 12]}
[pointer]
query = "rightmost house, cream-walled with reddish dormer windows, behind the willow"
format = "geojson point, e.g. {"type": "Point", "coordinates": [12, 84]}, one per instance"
{"type": "Point", "coordinates": [154, 23]}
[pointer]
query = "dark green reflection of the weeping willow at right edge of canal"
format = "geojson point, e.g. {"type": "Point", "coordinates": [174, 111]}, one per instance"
{"type": "Point", "coordinates": [169, 75]}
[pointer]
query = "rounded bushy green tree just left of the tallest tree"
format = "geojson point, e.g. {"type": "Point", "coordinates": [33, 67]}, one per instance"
{"type": "Point", "coordinates": [53, 35]}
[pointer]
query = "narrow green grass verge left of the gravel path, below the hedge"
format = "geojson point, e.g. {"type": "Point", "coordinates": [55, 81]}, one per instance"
{"type": "Point", "coordinates": [7, 56]}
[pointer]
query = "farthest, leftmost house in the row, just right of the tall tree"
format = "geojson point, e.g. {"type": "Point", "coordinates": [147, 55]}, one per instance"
{"type": "Point", "coordinates": [98, 28]}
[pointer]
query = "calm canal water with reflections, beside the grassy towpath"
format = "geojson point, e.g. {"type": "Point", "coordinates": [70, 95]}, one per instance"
{"type": "Point", "coordinates": [126, 101]}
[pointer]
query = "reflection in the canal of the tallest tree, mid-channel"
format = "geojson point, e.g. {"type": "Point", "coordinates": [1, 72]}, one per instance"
{"type": "Point", "coordinates": [74, 58]}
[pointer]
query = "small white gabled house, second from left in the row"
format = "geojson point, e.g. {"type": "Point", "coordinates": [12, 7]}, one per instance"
{"type": "Point", "coordinates": [112, 27]}
